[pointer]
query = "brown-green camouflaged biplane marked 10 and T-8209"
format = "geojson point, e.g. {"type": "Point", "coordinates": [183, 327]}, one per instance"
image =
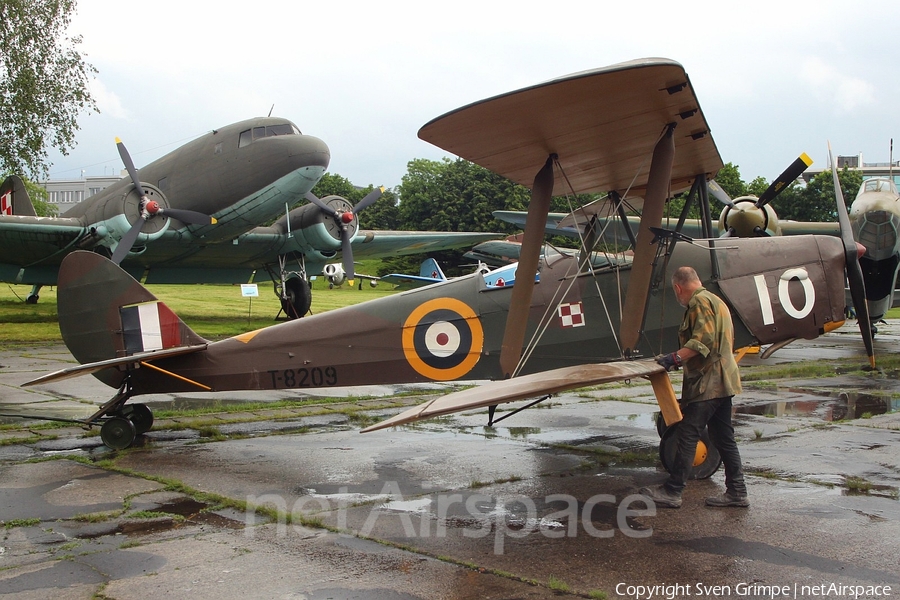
{"type": "Point", "coordinates": [637, 122]}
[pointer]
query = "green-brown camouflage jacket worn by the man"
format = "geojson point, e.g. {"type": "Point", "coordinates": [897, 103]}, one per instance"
{"type": "Point", "coordinates": [707, 328]}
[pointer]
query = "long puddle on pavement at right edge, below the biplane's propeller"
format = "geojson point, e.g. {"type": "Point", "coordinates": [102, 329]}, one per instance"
{"type": "Point", "coordinates": [837, 407]}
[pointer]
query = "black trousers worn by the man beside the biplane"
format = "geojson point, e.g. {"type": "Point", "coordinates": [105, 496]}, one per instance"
{"type": "Point", "coordinates": [715, 414]}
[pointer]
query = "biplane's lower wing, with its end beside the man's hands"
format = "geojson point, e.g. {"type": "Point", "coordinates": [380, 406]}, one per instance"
{"type": "Point", "coordinates": [520, 388]}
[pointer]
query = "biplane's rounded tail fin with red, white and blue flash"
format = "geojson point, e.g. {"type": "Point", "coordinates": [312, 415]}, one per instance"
{"type": "Point", "coordinates": [105, 314]}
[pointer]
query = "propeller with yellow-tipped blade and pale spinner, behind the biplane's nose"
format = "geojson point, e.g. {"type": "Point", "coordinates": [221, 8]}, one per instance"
{"type": "Point", "coordinates": [749, 216]}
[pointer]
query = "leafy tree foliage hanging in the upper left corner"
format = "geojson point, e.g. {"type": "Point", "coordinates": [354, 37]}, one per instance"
{"type": "Point", "coordinates": [43, 83]}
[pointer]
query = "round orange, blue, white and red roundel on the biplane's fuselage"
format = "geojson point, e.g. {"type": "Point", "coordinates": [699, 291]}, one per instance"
{"type": "Point", "coordinates": [442, 339]}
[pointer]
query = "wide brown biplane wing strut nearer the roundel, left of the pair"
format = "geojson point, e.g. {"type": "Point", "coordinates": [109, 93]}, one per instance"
{"type": "Point", "coordinates": [520, 301]}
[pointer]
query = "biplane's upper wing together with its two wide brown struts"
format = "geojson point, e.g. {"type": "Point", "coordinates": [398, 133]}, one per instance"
{"type": "Point", "coordinates": [635, 128]}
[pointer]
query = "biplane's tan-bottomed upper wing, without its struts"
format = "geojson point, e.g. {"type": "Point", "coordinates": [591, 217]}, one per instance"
{"type": "Point", "coordinates": [600, 122]}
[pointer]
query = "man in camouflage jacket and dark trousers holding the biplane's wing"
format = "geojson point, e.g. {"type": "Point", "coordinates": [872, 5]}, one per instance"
{"type": "Point", "coordinates": [711, 379]}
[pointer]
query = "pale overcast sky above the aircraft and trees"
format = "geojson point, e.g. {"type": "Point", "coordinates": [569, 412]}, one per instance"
{"type": "Point", "coordinates": [774, 78]}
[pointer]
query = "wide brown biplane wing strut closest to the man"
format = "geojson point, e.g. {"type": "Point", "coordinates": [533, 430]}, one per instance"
{"type": "Point", "coordinates": [644, 252]}
